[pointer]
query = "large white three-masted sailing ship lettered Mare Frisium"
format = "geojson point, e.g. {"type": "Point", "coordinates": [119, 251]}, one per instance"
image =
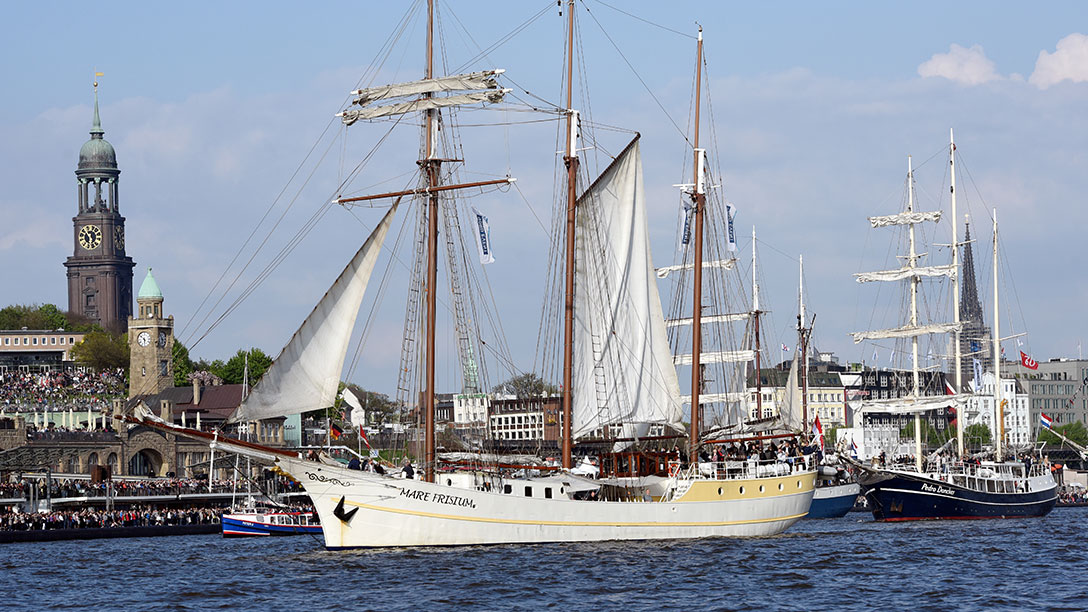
{"type": "Point", "coordinates": [619, 375]}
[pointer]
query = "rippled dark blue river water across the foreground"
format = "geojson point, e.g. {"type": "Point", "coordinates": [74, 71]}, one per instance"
{"type": "Point", "coordinates": [849, 564]}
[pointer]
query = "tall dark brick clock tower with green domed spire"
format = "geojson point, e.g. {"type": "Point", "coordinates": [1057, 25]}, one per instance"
{"type": "Point", "coordinates": [101, 275]}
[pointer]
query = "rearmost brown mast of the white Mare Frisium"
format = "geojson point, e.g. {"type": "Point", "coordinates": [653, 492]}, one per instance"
{"type": "Point", "coordinates": [699, 199]}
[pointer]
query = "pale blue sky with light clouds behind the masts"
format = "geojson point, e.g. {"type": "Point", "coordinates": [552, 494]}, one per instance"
{"type": "Point", "coordinates": [220, 115]}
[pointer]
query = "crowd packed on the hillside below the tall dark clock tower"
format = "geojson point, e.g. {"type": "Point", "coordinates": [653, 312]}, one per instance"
{"type": "Point", "coordinates": [60, 390]}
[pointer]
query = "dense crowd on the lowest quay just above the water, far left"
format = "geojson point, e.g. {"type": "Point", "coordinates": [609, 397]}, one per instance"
{"type": "Point", "coordinates": [88, 519]}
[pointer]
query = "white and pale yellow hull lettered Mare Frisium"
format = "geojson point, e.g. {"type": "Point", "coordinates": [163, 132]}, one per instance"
{"type": "Point", "coordinates": [362, 509]}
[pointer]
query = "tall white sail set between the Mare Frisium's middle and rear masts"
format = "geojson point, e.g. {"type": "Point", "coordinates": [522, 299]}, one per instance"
{"type": "Point", "coordinates": [624, 370]}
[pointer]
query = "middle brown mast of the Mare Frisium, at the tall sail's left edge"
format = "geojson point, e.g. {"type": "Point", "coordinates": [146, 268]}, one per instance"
{"type": "Point", "coordinates": [568, 322]}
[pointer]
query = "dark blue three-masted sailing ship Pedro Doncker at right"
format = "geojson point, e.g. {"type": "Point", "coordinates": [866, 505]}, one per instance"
{"type": "Point", "coordinates": [1003, 488]}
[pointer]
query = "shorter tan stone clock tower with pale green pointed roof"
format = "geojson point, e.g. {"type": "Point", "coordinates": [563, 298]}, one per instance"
{"type": "Point", "coordinates": [151, 344]}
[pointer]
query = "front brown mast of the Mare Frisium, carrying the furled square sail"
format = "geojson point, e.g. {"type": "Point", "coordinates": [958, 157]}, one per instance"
{"type": "Point", "coordinates": [431, 165]}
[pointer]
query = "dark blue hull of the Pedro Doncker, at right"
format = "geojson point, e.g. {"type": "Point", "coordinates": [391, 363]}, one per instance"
{"type": "Point", "coordinates": [896, 496]}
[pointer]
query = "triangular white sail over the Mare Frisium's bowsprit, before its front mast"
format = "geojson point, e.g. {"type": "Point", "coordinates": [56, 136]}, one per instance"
{"type": "Point", "coordinates": [306, 374]}
